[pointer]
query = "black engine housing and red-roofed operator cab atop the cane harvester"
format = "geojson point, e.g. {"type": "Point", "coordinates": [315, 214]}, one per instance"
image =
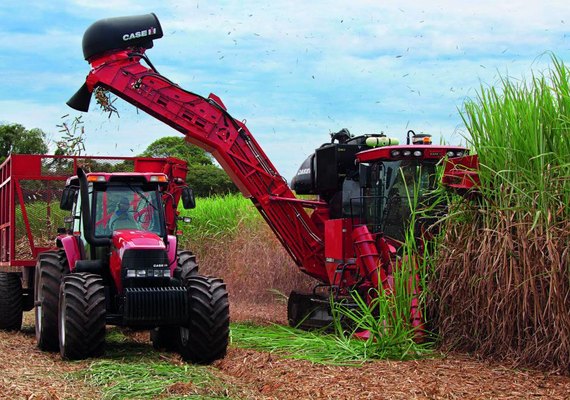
{"type": "Point", "coordinates": [372, 179]}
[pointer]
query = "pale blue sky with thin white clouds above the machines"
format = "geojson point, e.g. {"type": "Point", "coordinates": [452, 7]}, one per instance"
{"type": "Point", "coordinates": [295, 70]}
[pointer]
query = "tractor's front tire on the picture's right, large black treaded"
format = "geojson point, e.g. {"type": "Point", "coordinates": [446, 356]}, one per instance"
{"type": "Point", "coordinates": [205, 337]}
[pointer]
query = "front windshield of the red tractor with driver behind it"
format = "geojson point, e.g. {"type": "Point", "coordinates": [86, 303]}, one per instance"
{"type": "Point", "coordinates": [130, 207]}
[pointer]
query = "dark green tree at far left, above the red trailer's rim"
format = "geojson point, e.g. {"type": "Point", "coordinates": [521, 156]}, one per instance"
{"type": "Point", "coordinates": [14, 138]}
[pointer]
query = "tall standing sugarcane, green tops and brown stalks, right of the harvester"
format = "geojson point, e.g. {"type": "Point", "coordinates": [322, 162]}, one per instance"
{"type": "Point", "coordinates": [503, 276]}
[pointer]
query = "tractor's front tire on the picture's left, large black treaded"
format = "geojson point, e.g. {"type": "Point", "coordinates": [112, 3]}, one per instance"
{"type": "Point", "coordinates": [81, 316]}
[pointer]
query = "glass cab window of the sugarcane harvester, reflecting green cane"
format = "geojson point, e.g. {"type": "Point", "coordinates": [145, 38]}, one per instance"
{"type": "Point", "coordinates": [393, 188]}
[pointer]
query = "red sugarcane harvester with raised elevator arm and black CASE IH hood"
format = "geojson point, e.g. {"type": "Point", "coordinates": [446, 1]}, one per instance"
{"type": "Point", "coordinates": [350, 240]}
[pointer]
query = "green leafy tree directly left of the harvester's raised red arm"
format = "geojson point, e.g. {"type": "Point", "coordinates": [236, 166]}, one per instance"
{"type": "Point", "coordinates": [204, 176]}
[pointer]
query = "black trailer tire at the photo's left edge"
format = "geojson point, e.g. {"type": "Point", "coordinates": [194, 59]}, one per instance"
{"type": "Point", "coordinates": [11, 301]}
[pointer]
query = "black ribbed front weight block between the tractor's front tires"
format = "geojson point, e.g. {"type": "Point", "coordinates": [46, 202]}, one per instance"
{"type": "Point", "coordinates": [156, 306]}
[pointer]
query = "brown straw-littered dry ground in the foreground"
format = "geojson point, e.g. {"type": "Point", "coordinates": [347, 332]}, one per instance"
{"type": "Point", "coordinates": [27, 373]}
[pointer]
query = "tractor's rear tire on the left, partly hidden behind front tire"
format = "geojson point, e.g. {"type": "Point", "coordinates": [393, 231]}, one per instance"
{"type": "Point", "coordinates": [50, 268]}
